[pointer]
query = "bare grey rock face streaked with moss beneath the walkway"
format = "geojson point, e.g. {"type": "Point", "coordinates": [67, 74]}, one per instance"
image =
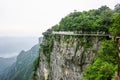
{"type": "Point", "coordinates": [69, 58]}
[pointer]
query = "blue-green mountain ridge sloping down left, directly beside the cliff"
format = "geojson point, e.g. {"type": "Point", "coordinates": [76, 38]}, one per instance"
{"type": "Point", "coordinates": [22, 69]}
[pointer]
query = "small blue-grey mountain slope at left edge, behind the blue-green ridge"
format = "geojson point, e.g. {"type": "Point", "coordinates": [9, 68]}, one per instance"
{"type": "Point", "coordinates": [6, 63]}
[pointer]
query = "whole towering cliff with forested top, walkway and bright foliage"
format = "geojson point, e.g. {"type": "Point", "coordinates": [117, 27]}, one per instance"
{"type": "Point", "coordinates": [66, 54]}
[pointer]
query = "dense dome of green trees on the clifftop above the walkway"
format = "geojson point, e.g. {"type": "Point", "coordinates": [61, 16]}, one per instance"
{"type": "Point", "coordinates": [93, 20]}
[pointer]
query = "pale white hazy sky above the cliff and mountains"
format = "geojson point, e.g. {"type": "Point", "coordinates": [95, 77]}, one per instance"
{"type": "Point", "coordinates": [32, 17]}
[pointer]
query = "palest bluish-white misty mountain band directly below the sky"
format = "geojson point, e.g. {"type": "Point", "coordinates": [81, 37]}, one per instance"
{"type": "Point", "coordinates": [10, 46]}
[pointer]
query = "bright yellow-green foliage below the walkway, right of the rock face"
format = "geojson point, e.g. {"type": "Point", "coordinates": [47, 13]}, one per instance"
{"type": "Point", "coordinates": [105, 64]}
